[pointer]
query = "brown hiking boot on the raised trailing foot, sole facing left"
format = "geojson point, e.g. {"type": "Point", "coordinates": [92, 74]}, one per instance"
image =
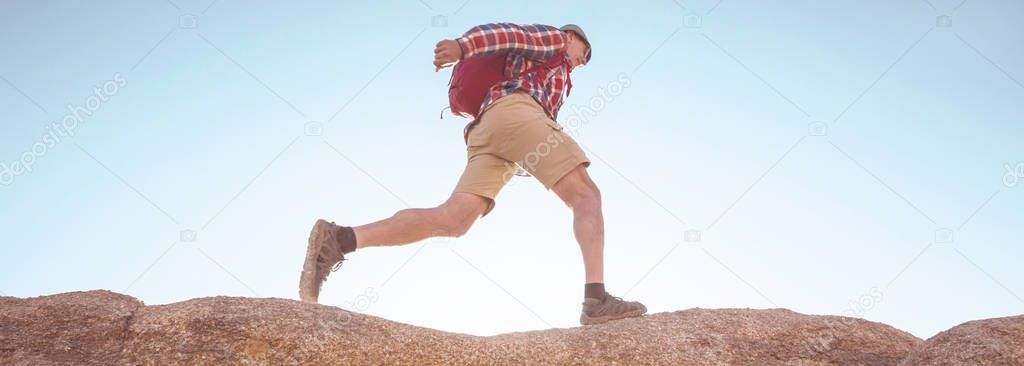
{"type": "Point", "coordinates": [323, 257]}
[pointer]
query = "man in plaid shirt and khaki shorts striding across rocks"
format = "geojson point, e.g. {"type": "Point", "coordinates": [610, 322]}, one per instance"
{"type": "Point", "coordinates": [524, 70]}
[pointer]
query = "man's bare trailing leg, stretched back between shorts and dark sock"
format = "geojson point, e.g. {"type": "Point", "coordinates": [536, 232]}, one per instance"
{"type": "Point", "coordinates": [452, 219]}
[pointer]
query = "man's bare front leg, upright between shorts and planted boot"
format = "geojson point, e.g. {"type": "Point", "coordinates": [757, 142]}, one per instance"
{"type": "Point", "coordinates": [582, 195]}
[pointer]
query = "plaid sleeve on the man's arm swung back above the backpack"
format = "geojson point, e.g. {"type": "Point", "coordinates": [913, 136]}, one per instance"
{"type": "Point", "coordinates": [537, 43]}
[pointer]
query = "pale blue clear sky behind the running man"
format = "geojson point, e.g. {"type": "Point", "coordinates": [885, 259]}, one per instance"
{"type": "Point", "coordinates": [208, 134]}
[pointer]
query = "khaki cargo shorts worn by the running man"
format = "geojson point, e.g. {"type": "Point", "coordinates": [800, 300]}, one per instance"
{"type": "Point", "coordinates": [515, 131]}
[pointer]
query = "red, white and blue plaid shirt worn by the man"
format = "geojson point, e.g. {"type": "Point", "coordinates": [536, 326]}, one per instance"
{"type": "Point", "coordinates": [529, 47]}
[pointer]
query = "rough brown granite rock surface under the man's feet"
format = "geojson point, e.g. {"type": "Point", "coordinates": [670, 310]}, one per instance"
{"type": "Point", "coordinates": [102, 328]}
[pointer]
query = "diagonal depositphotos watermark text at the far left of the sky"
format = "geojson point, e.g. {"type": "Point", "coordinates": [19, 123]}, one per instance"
{"type": "Point", "coordinates": [59, 132]}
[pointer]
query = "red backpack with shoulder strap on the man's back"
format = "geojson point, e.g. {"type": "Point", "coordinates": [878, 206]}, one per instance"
{"type": "Point", "coordinates": [474, 77]}
